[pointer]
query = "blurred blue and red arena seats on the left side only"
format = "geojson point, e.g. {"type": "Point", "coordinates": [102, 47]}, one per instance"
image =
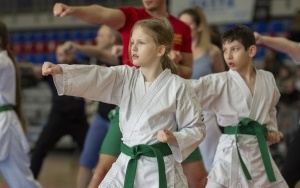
{"type": "Point", "coordinates": [39, 46]}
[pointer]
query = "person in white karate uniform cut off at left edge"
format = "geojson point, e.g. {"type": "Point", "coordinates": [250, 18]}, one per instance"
{"type": "Point", "coordinates": [14, 161]}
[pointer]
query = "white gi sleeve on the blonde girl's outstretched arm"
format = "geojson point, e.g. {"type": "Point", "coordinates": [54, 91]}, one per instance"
{"type": "Point", "coordinates": [92, 82]}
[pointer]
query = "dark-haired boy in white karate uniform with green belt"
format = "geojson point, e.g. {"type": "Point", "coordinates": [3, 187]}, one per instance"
{"type": "Point", "coordinates": [244, 101]}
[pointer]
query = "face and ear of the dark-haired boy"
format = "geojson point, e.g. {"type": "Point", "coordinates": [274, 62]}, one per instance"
{"type": "Point", "coordinates": [236, 57]}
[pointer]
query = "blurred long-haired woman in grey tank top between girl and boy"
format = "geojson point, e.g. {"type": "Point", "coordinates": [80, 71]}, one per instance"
{"type": "Point", "coordinates": [208, 59]}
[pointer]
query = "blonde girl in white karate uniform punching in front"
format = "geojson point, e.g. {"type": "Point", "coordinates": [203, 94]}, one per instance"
{"type": "Point", "coordinates": [161, 120]}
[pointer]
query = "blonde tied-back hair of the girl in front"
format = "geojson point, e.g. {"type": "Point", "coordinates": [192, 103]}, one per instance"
{"type": "Point", "coordinates": [162, 33]}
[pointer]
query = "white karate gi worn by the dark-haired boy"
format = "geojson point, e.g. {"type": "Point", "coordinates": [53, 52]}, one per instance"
{"type": "Point", "coordinates": [227, 95]}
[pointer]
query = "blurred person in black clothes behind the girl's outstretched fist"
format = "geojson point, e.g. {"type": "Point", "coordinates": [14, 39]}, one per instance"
{"type": "Point", "coordinates": [67, 117]}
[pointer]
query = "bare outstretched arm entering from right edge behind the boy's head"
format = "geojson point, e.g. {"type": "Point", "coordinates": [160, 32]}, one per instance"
{"type": "Point", "coordinates": [280, 44]}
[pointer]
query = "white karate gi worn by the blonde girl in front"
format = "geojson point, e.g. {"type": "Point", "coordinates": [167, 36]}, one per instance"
{"type": "Point", "coordinates": [169, 103]}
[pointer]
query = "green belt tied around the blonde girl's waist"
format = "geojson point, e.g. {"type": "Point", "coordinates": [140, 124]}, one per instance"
{"type": "Point", "coordinates": [155, 150]}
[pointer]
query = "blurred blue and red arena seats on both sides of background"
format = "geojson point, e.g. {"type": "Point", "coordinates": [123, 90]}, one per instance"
{"type": "Point", "coordinates": [38, 46]}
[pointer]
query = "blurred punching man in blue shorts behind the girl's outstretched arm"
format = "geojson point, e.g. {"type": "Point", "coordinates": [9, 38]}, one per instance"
{"type": "Point", "coordinates": [99, 54]}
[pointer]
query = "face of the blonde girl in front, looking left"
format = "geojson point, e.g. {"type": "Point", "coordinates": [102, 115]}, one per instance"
{"type": "Point", "coordinates": [143, 49]}
